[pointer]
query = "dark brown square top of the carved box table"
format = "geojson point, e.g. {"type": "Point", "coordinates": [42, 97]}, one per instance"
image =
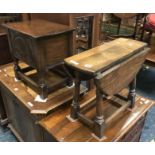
{"type": "Point", "coordinates": [38, 28]}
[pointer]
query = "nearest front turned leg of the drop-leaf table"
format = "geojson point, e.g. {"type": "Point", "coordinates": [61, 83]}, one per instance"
{"type": "Point", "coordinates": [99, 122]}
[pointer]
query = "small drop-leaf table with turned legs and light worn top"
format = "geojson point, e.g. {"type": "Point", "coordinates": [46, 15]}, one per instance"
{"type": "Point", "coordinates": [113, 66]}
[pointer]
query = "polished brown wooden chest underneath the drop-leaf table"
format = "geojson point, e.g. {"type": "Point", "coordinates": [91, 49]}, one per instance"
{"type": "Point", "coordinates": [125, 128]}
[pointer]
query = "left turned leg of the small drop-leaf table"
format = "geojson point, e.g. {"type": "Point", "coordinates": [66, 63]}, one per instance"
{"type": "Point", "coordinates": [75, 104]}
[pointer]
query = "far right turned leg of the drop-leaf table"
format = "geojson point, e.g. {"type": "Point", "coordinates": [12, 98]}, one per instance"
{"type": "Point", "coordinates": [132, 93]}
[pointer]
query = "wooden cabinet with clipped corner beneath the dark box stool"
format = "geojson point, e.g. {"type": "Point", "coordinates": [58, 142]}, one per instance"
{"type": "Point", "coordinates": [22, 107]}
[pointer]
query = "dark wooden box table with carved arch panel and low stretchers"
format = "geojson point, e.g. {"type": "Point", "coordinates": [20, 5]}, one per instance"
{"type": "Point", "coordinates": [42, 45]}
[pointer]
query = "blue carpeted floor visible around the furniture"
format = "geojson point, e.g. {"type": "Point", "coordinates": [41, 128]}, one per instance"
{"type": "Point", "coordinates": [145, 87]}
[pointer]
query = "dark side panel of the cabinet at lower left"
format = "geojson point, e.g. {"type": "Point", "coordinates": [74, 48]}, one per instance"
{"type": "Point", "coordinates": [20, 118]}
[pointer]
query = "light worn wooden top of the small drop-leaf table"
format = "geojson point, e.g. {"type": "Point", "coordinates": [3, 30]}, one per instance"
{"type": "Point", "coordinates": [105, 56]}
